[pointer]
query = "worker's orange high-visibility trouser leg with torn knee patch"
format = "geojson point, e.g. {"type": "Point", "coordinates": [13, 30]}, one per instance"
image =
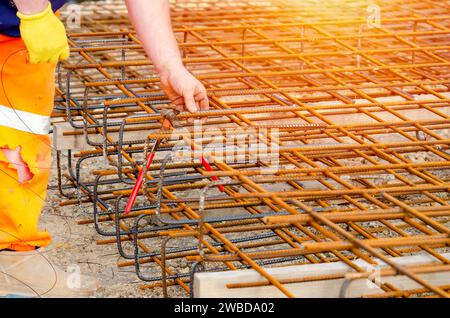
{"type": "Point", "coordinates": [26, 88]}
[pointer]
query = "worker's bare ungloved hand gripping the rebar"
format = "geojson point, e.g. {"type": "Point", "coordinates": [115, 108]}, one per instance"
{"type": "Point", "coordinates": [183, 89]}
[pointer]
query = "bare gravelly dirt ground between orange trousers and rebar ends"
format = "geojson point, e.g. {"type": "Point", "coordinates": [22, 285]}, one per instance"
{"type": "Point", "coordinates": [75, 245]}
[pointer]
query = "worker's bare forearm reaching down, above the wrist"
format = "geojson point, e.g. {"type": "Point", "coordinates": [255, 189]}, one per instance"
{"type": "Point", "coordinates": [151, 19]}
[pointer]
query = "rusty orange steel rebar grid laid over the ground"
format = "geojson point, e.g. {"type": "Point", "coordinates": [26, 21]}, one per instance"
{"type": "Point", "coordinates": [359, 116]}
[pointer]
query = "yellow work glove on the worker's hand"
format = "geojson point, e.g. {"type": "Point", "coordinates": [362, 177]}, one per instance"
{"type": "Point", "coordinates": [44, 36]}
